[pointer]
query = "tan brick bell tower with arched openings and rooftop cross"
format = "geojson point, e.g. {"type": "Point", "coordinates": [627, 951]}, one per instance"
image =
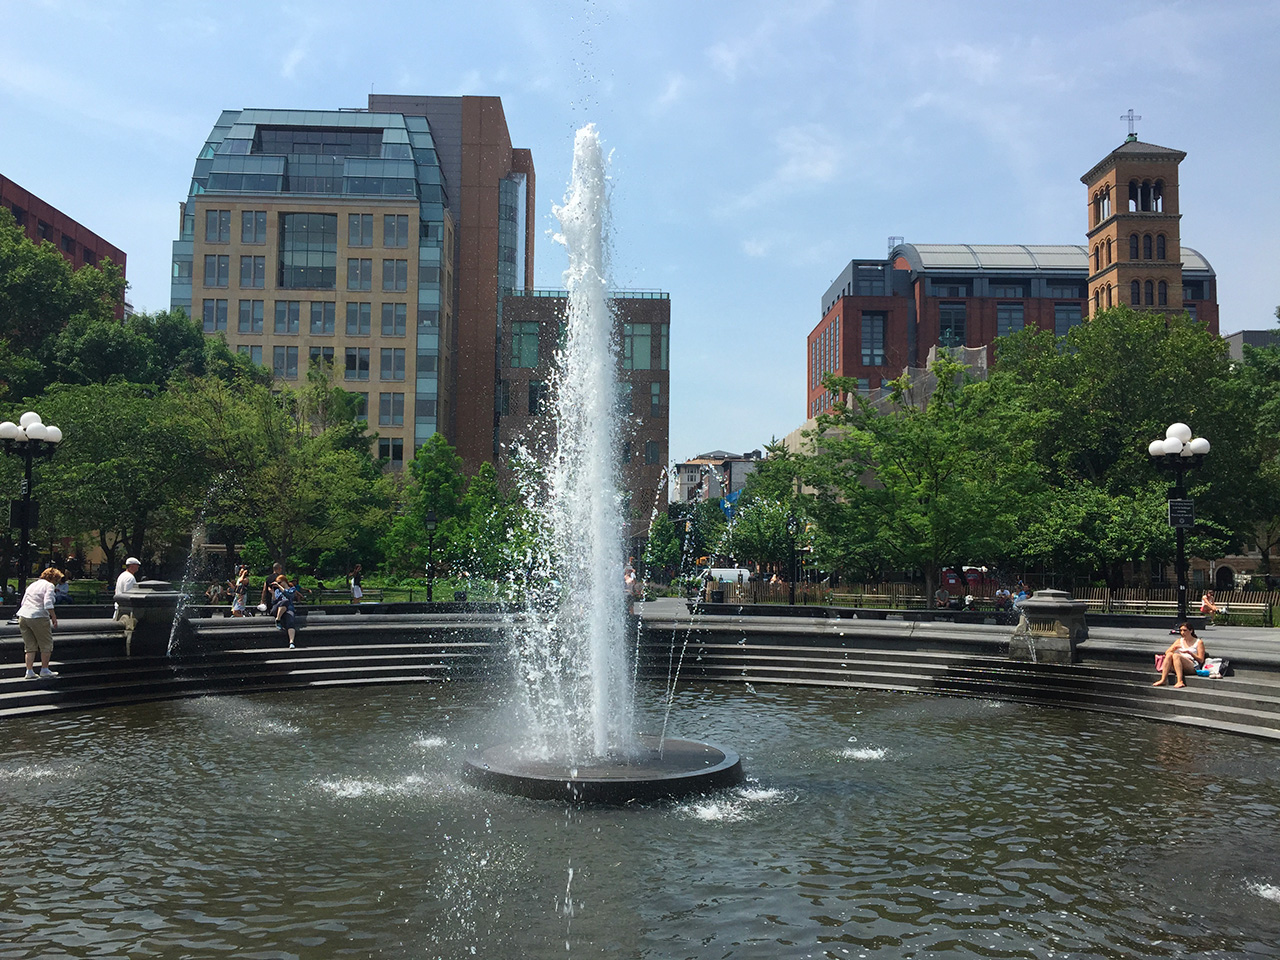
{"type": "Point", "coordinates": [1133, 240]}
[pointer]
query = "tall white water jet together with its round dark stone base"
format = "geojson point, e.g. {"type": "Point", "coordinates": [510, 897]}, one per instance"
{"type": "Point", "coordinates": [570, 644]}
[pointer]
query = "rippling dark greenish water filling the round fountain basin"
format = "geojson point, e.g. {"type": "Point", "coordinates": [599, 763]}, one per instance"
{"type": "Point", "coordinates": [335, 824]}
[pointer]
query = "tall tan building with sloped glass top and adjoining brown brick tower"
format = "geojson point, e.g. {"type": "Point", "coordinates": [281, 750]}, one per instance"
{"type": "Point", "coordinates": [336, 237]}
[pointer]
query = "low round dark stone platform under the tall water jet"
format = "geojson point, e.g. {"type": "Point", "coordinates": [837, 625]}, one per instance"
{"type": "Point", "coordinates": [680, 769]}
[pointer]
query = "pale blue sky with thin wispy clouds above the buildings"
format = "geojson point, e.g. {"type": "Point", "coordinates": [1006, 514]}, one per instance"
{"type": "Point", "coordinates": [756, 147]}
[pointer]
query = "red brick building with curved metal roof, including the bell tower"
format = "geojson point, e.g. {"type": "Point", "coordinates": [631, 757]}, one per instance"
{"type": "Point", "coordinates": [881, 317]}
